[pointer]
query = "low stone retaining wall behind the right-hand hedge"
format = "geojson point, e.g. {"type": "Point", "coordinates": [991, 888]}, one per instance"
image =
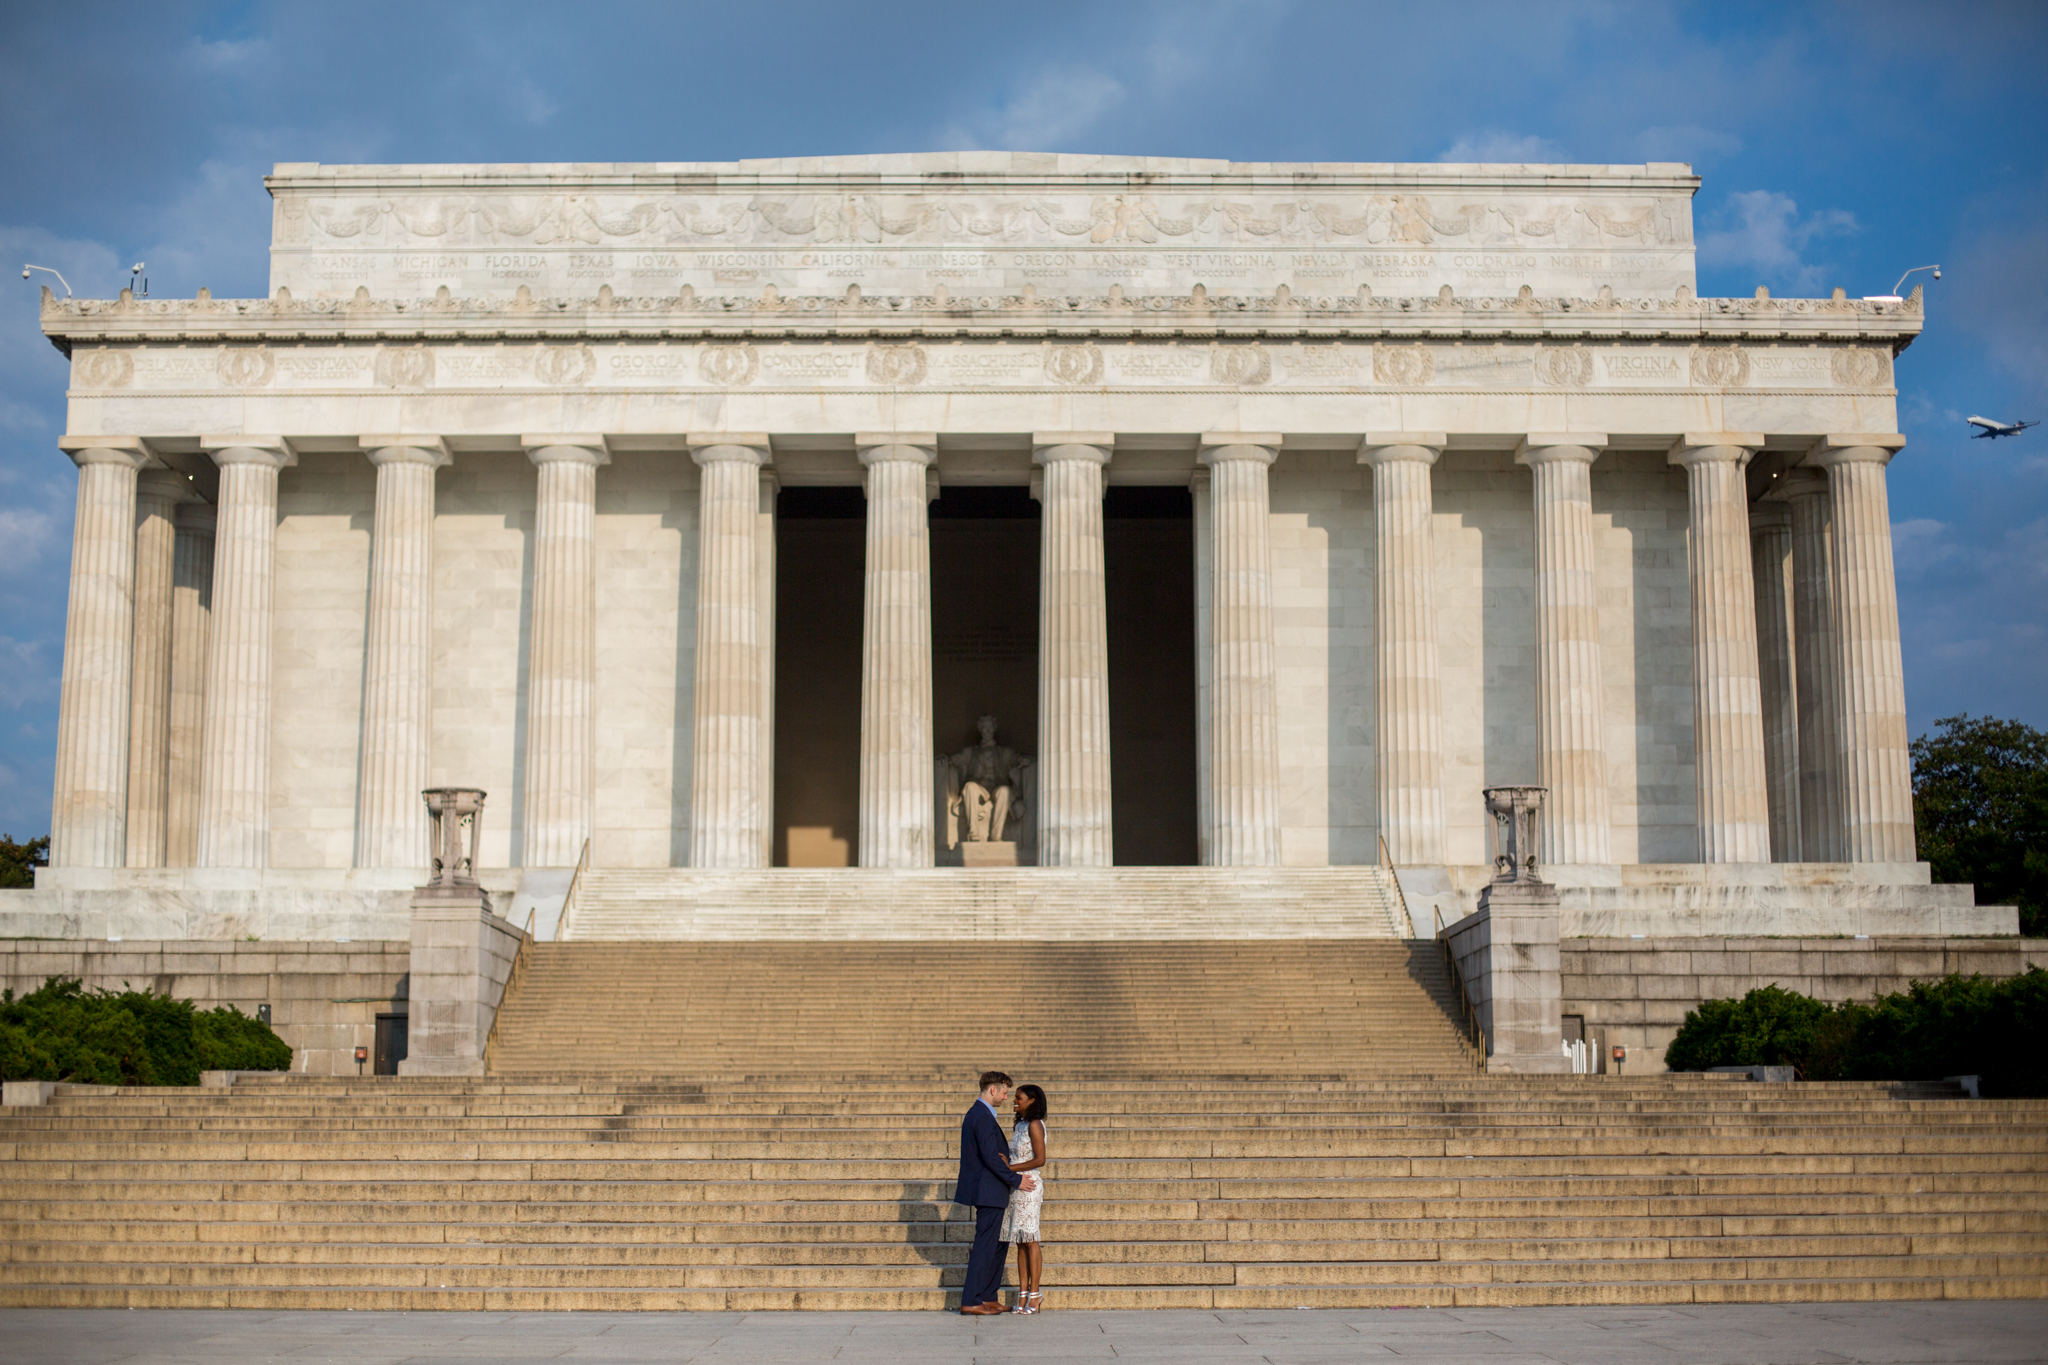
{"type": "Point", "coordinates": [1637, 992]}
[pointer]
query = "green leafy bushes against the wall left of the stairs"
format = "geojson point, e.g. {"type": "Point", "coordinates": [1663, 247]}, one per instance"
{"type": "Point", "coordinates": [65, 1032]}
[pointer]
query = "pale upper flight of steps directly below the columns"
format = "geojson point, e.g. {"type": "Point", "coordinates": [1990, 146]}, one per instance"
{"type": "Point", "coordinates": [984, 904]}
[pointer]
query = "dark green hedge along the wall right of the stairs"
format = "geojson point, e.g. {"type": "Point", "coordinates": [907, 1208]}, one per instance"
{"type": "Point", "coordinates": [1938, 1028]}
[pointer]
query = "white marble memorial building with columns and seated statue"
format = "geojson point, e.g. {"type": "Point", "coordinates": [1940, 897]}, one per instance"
{"type": "Point", "coordinates": [1146, 541]}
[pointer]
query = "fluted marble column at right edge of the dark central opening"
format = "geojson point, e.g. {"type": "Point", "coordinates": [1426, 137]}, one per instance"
{"type": "Point", "coordinates": [1244, 691]}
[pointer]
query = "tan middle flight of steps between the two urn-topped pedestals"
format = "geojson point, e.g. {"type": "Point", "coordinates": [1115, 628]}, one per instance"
{"type": "Point", "coordinates": [894, 1010]}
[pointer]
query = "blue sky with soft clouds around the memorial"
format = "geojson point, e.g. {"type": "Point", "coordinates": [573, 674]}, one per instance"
{"type": "Point", "coordinates": [1840, 144]}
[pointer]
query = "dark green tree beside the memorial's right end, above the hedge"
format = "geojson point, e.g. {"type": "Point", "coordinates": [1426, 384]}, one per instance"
{"type": "Point", "coordinates": [1981, 811]}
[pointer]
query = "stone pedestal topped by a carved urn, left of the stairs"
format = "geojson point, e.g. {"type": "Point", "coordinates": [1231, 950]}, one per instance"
{"type": "Point", "coordinates": [462, 955]}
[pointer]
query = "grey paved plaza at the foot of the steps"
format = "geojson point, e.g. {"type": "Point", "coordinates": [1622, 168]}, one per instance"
{"type": "Point", "coordinates": [1691, 1335]}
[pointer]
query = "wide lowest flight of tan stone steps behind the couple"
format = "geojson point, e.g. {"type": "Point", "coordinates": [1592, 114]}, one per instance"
{"type": "Point", "coordinates": [830, 1192]}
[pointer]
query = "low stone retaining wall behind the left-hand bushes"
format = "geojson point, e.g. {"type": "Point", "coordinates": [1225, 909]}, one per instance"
{"type": "Point", "coordinates": [325, 998]}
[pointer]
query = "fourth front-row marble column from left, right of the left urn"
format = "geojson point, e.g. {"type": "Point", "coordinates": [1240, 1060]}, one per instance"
{"type": "Point", "coordinates": [562, 652]}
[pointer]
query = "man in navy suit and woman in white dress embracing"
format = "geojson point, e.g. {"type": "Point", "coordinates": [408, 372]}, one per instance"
{"type": "Point", "coordinates": [1005, 1186]}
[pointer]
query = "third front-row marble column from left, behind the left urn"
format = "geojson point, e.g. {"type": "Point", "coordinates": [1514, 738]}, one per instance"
{"type": "Point", "coordinates": [398, 674]}
